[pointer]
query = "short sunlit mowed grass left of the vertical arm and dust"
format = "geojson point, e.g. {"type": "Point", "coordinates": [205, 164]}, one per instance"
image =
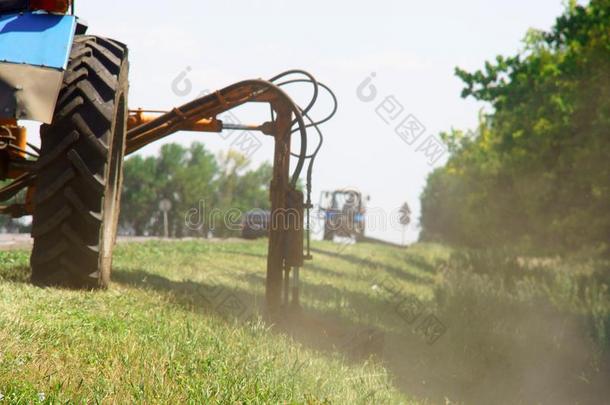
{"type": "Point", "coordinates": [161, 335]}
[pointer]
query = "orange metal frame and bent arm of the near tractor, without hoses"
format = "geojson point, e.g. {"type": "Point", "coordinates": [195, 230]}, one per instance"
{"type": "Point", "coordinates": [285, 251]}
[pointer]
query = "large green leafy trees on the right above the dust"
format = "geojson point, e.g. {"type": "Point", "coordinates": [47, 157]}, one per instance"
{"type": "Point", "coordinates": [536, 174]}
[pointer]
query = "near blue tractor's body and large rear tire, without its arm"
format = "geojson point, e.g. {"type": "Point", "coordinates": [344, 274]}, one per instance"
{"type": "Point", "coordinates": [77, 86]}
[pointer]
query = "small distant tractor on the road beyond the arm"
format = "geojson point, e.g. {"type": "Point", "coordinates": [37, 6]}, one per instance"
{"type": "Point", "coordinates": [343, 212]}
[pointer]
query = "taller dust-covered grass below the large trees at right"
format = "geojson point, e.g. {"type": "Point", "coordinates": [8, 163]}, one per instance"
{"type": "Point", "coordinates": [531, 330]}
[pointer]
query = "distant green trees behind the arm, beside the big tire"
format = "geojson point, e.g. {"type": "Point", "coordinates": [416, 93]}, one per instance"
{"type": "Point", "coordinates": [203, 190]}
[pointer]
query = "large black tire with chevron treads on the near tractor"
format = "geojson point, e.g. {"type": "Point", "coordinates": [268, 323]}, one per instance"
{"type": "Point", "coordinates": [78, 189]}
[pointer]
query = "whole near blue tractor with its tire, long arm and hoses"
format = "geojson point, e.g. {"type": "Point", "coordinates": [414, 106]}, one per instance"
{"type": "Point", "coordinates": [77, 86]}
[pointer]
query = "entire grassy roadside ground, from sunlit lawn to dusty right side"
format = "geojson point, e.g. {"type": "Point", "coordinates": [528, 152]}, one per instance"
{"type": "Point", "coordinates": [182, 324]}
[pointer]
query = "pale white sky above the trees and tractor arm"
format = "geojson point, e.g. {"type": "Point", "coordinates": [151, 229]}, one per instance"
{"type": "Point", "coordinates": [181, 49]}
